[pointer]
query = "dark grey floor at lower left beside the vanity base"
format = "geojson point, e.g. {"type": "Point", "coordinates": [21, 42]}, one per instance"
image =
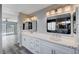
{"type": "Point", "coordinates": [16, 50]}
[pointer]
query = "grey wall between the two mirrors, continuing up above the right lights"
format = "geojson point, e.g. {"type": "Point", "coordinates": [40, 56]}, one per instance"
{"type": "Point", "coordinates": [42, 18]}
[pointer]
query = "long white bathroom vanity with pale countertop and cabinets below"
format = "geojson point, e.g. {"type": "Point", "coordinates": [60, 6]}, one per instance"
{"type": "Point", "coordinates": [40, 43]}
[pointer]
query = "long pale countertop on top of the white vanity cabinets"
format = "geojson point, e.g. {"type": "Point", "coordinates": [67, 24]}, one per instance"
{"type": "Point", "coordinates": [69, 41]}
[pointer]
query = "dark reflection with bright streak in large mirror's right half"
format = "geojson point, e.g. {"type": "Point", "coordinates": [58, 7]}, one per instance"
{"type": "Point", "coordinates": [63, 25]}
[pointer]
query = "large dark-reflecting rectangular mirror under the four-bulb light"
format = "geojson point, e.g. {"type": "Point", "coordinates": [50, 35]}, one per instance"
{"type": "Point", "coordinates": [59, 24]}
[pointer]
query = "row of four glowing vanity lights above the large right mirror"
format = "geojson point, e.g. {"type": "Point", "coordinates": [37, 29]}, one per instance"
{"type": "Point", "coordinates": [60, 11]}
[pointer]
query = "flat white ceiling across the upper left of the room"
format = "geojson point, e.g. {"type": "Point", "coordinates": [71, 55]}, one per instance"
{"type": "Point", "coordinates": [25, 8]}
